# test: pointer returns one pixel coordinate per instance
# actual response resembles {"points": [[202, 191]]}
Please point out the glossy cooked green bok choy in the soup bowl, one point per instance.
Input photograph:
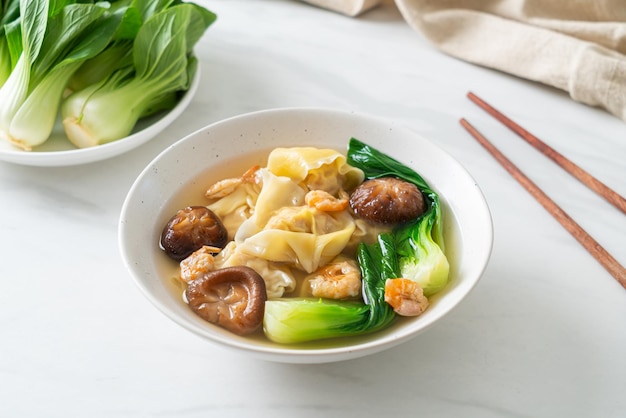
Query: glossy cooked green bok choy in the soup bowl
{"points": [[413, 250]]}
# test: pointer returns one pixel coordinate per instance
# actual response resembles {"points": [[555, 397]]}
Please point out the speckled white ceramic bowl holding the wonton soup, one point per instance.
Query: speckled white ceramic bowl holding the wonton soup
{"points": [[181, 173]]}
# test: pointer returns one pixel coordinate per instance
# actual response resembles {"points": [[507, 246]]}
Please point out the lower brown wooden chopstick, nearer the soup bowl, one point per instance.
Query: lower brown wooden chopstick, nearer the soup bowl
{"points": [[591, 245]]}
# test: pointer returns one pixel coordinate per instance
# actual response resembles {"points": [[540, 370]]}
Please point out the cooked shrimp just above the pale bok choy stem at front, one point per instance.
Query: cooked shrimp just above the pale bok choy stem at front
{"points": [[336, 280]]}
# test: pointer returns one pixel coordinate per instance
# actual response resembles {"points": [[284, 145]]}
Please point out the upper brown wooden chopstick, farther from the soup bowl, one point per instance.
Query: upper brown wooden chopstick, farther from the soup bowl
{"points": [[587, 179]]}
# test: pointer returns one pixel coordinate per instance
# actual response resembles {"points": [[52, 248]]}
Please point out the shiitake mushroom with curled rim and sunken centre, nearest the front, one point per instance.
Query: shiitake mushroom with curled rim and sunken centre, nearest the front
{"points": [[231, 297]]}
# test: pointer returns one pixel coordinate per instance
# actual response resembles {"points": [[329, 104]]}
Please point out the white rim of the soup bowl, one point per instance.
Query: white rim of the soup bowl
{"points": [[289, 354]]}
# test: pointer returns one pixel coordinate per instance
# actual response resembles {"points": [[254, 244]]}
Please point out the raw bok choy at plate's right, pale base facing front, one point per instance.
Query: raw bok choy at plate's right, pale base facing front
{"points": [[162, 66]]}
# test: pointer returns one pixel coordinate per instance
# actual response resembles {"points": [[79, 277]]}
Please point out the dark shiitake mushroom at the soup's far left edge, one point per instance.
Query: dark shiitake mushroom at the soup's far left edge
{"points": [[190, 229]]}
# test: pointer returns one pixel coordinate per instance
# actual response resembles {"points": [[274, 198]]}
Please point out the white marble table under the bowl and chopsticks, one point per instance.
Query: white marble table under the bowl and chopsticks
{"points": [[542, 335]]}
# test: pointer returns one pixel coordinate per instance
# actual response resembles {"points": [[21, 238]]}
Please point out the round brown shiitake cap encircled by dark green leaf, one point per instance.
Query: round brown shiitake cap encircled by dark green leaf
{"points": [[387, 200]]}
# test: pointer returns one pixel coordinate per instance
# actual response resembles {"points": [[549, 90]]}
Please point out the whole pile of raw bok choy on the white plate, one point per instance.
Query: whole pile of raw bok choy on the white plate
{"points": [[49, 49]]}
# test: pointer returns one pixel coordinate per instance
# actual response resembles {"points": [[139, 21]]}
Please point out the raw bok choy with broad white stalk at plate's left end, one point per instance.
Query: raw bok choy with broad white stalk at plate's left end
{"points": [[54, 44]]}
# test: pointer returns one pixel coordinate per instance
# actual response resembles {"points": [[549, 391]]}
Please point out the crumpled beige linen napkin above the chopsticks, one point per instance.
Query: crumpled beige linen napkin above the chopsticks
{"points": [[574, 45]]}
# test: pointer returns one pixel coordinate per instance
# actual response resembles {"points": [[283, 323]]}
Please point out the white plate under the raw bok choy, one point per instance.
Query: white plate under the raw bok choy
{"points": [[59, 151]]}
